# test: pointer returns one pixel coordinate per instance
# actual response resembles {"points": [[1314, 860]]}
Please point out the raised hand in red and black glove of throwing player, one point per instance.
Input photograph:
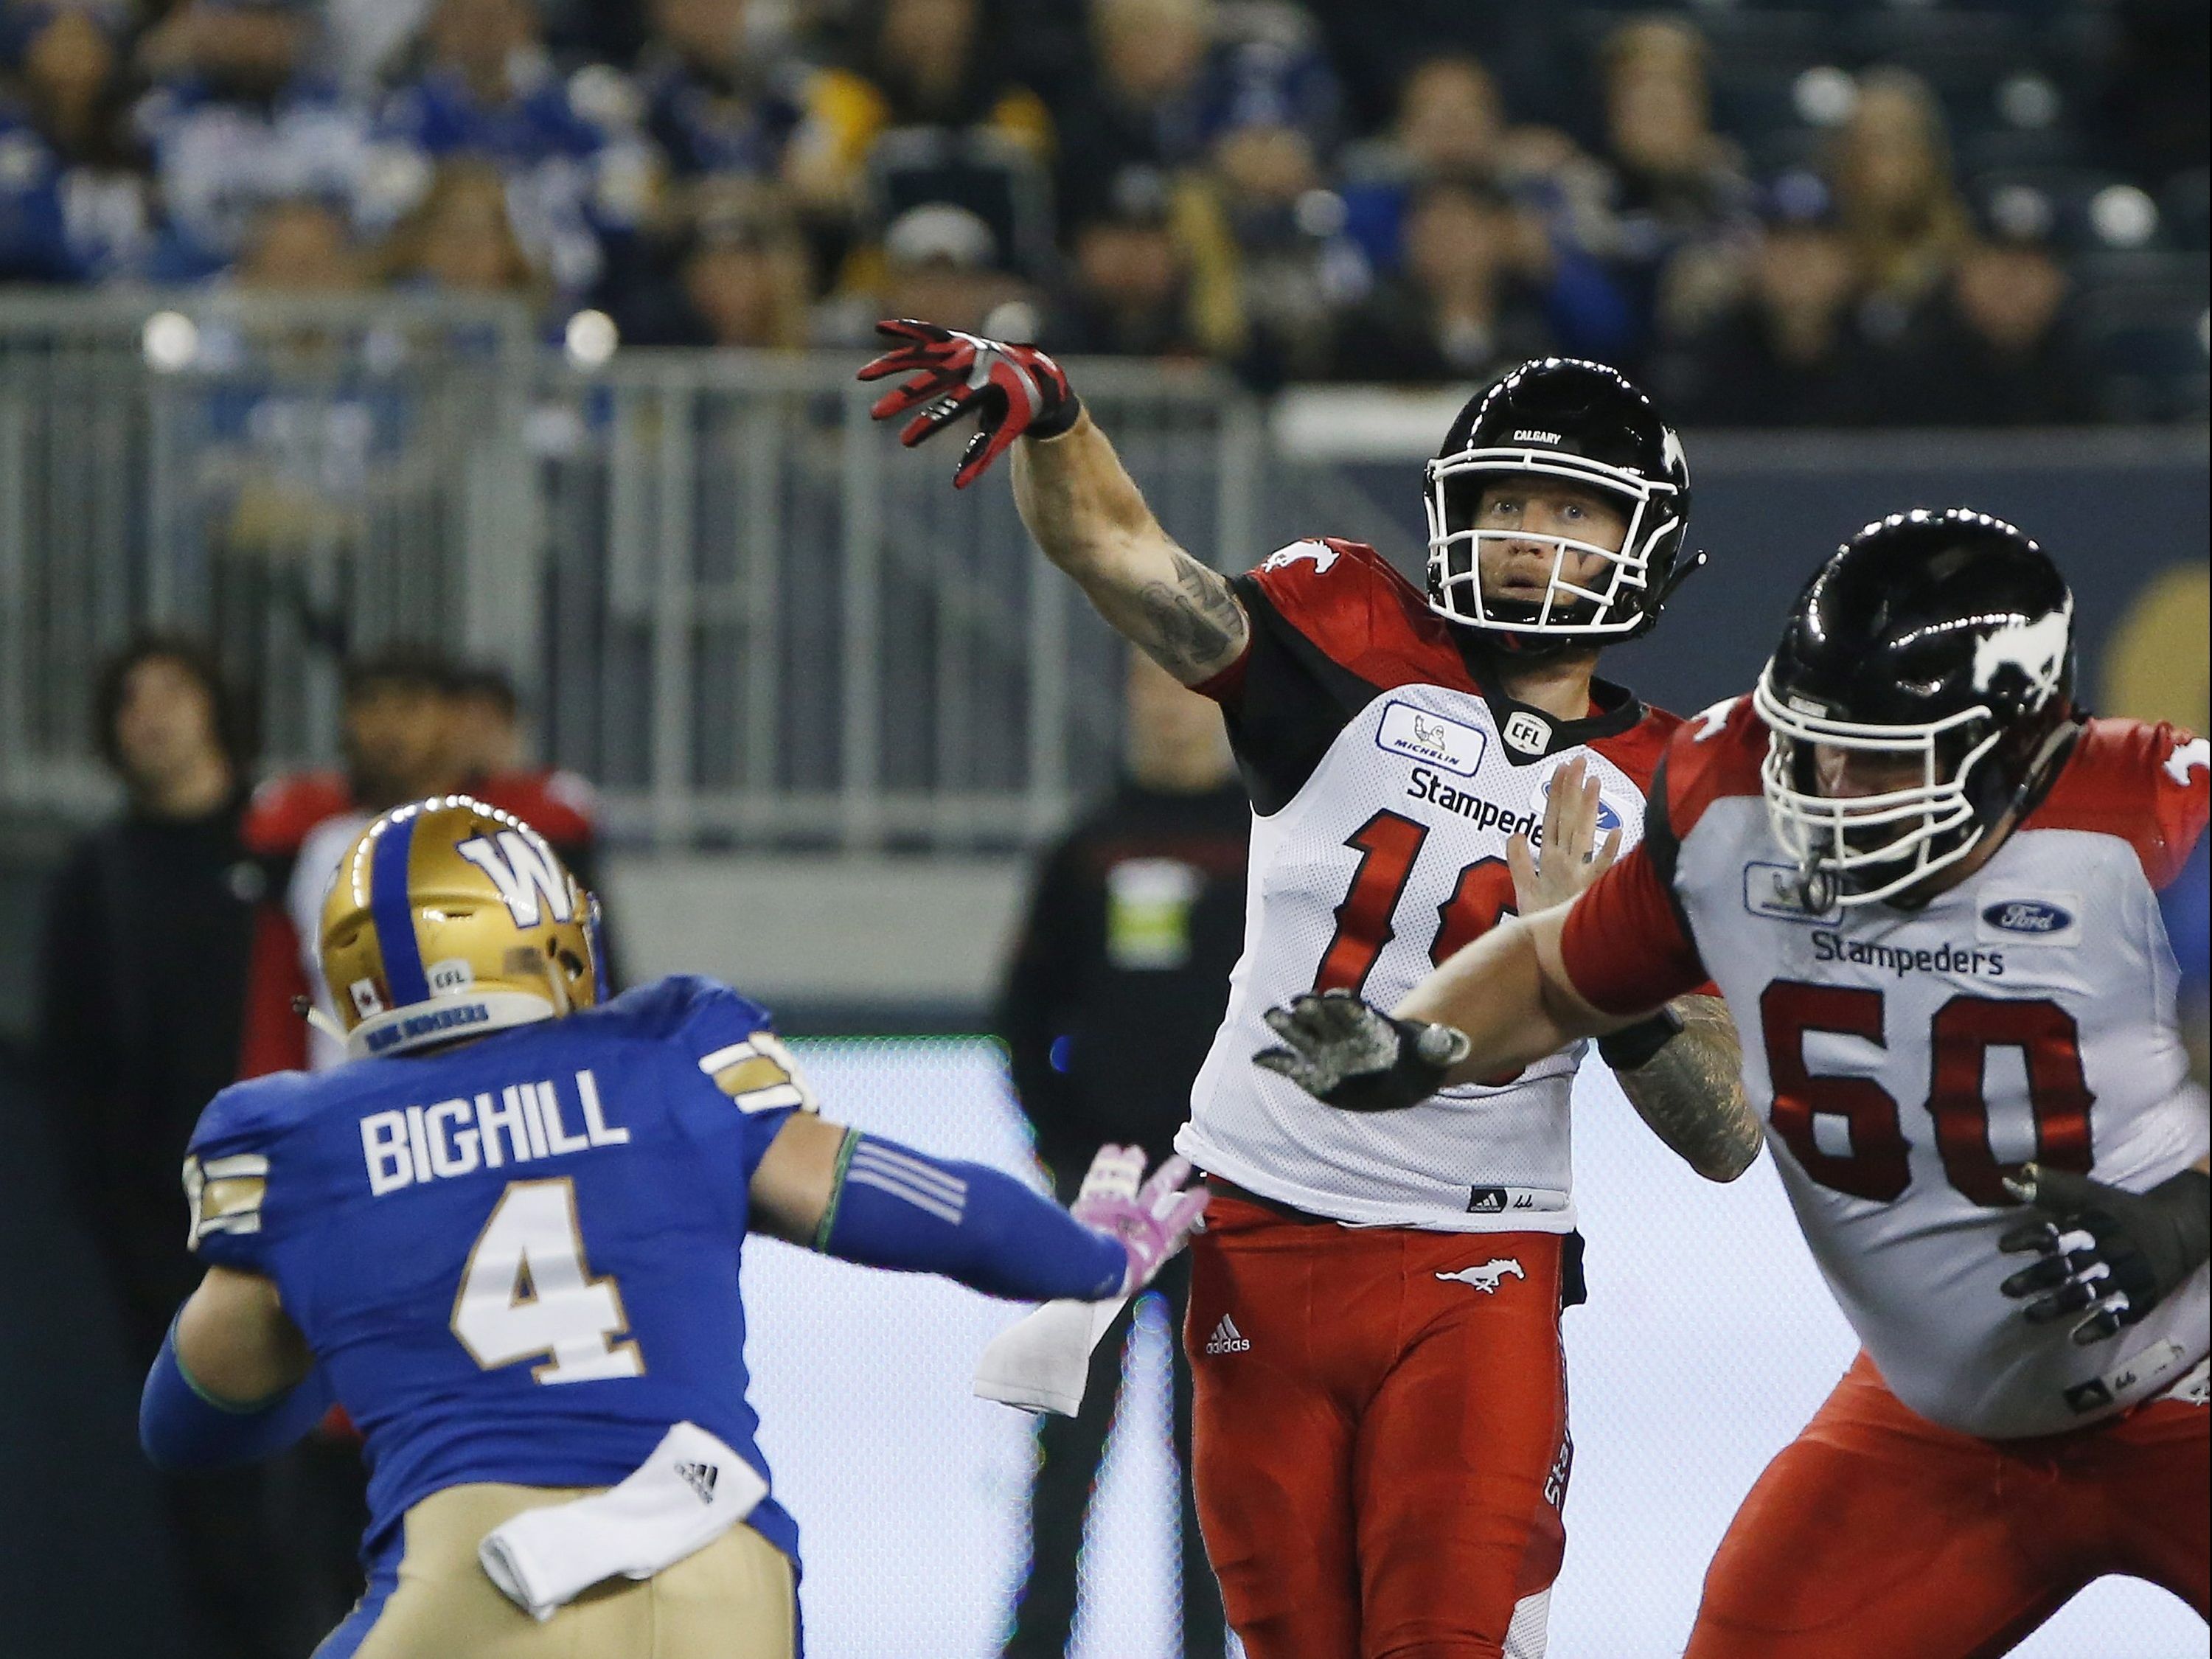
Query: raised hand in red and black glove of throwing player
{"points": [[1014, 390]]}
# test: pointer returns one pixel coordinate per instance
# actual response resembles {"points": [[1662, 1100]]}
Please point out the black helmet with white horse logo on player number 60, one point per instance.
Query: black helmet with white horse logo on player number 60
{"points": [[1941, 638]]}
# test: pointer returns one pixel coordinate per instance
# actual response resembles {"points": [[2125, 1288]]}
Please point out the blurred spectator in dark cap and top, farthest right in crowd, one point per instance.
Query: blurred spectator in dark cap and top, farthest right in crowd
{"points": [[1994, 348]]}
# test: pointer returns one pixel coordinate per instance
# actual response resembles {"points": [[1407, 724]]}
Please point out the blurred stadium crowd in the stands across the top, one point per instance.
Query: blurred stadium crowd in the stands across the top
{"points": [[1828, 216]]}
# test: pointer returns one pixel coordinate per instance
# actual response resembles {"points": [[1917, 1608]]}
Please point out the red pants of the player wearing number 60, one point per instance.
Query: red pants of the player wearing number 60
{"points": [[1881, 1534]]}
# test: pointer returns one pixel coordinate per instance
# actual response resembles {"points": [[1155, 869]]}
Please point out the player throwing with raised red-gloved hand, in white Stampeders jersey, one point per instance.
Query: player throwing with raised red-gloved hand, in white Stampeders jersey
{"points": [[1375, 1319]]}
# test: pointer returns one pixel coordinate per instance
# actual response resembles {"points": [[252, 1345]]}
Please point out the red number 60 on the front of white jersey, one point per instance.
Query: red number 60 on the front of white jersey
{"points": [[1861, 1147]]}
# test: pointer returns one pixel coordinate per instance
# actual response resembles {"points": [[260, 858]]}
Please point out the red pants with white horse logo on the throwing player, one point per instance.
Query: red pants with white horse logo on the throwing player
{"points": [[1379, 1432]]}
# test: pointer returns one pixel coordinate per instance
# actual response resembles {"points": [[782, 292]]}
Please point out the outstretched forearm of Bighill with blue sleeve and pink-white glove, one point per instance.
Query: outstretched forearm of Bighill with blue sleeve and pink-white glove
{"points": [[881, 1204]]}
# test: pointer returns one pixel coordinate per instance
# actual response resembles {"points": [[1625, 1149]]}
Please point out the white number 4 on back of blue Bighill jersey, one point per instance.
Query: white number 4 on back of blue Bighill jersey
{"points": [[528, 1293]]}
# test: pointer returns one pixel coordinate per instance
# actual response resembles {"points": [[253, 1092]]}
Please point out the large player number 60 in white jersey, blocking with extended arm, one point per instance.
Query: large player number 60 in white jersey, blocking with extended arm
{"points": [[1932, 888]]}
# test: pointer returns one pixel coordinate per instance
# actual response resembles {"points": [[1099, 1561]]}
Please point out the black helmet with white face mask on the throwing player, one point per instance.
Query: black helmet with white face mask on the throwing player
{"points": [[1585, 424]]}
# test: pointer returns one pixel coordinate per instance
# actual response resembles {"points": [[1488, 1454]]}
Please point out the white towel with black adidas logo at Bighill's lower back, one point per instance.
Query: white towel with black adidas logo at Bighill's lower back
{"points": [[680, 1501]]}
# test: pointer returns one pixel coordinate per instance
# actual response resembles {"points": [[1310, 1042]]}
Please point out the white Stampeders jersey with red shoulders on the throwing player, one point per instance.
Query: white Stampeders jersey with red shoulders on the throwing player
{"points": [[1388, 784]]}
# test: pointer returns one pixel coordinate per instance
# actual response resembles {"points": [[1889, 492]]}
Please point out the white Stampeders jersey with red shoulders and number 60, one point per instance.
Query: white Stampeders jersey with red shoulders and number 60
{"points": [[1906, 1058]]}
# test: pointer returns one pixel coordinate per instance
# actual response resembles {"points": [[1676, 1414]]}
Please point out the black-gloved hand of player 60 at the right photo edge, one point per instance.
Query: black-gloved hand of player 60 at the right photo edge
{"points": [[2105, 1253]]}
